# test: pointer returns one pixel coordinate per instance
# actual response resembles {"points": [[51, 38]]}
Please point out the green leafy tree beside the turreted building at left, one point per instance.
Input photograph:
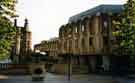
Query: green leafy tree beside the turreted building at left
{"points": [[7, 30]]}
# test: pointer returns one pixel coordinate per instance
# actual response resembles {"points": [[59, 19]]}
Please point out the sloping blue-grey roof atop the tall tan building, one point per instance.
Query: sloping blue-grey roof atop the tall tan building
{"points": [[95, 10]]}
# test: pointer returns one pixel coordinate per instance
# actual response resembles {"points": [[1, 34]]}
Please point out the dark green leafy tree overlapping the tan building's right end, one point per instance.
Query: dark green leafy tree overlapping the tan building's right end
{"points": [[125, 33]]}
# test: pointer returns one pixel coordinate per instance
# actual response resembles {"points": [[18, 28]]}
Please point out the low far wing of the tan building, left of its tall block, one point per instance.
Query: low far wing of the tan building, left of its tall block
{"points": [[48, 46]]}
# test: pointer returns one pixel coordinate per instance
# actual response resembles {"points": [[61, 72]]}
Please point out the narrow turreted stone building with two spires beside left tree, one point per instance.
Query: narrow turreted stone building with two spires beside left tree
{"points": [[21, 51]]}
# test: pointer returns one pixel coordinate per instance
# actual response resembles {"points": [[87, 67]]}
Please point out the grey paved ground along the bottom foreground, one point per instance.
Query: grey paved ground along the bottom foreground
{"points": [[52, 78]]}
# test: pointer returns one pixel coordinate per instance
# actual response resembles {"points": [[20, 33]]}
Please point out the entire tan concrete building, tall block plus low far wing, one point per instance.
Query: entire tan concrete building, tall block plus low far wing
{"points": [[87, 40]]}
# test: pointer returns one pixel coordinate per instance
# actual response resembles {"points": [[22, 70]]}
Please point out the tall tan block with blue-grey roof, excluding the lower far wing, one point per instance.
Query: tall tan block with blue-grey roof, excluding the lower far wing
{"points": [[88, 36]]}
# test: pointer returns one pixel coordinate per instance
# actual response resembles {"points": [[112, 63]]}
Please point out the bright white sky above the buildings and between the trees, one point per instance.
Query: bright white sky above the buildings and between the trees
{"points": [[46, 16]]}
